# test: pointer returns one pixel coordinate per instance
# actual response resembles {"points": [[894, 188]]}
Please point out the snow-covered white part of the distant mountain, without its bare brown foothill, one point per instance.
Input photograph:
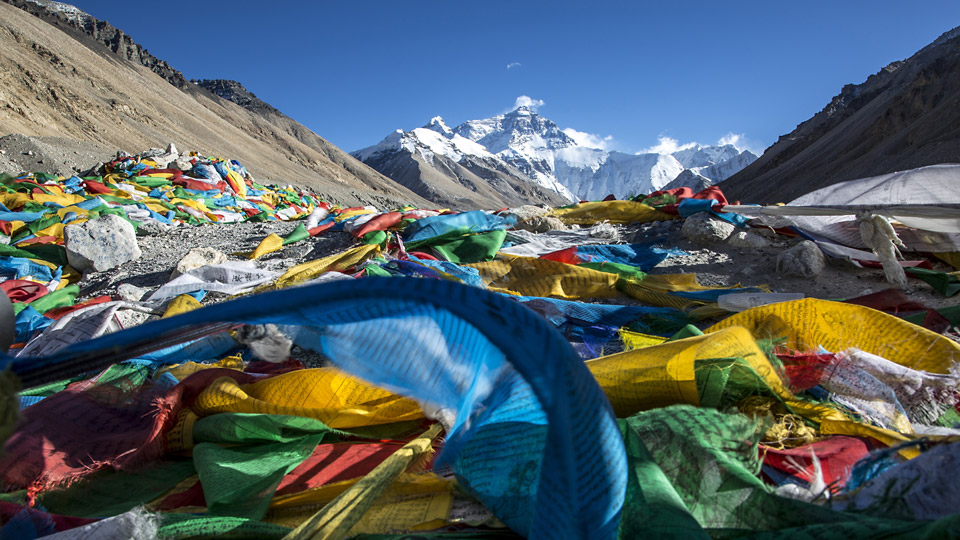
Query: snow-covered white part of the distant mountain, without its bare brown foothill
{"points": [[544, 155]]}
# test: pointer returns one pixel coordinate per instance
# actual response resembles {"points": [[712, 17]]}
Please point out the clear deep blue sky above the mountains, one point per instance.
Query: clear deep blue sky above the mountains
{"points": [[627, 72]]}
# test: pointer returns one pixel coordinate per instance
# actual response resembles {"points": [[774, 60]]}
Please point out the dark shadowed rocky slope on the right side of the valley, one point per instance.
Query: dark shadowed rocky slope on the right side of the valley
{"points": [[907, 115]]}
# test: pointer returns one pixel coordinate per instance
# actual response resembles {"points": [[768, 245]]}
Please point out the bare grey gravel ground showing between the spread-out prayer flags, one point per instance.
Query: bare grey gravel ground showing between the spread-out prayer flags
{"points": [[718, 264]]}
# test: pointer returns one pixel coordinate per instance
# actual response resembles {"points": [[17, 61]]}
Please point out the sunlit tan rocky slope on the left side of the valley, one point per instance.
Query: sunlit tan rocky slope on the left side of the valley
{"points": [[68, 75]]}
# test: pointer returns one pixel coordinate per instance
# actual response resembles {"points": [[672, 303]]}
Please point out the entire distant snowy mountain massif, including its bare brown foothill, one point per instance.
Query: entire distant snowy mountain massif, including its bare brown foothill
{"points": [[522, 154]]}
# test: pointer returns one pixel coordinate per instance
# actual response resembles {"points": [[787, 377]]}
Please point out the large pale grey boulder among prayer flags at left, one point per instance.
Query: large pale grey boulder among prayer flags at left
{"points": [[101, 244]]}
